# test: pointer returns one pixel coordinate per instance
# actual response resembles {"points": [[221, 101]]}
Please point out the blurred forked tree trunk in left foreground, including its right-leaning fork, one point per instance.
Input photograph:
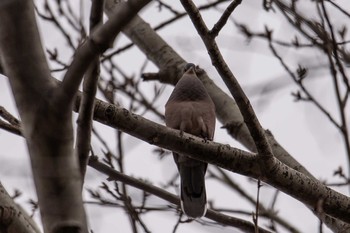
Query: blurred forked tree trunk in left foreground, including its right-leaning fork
{"points": [[46, 109]]}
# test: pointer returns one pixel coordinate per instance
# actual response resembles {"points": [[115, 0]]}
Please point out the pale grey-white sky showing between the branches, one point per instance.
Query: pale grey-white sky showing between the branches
{"points": [[298, 126]]}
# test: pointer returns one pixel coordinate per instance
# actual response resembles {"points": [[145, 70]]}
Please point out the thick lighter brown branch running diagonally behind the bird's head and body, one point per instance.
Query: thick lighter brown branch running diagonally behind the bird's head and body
{"points": [[171, 68]]}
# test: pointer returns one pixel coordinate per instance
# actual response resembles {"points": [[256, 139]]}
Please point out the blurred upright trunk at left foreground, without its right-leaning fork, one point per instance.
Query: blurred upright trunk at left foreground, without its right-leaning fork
{"points": [[48, 131]]}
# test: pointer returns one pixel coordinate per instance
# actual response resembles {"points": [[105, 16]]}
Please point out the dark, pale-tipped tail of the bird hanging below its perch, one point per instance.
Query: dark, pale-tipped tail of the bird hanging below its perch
{"points": [[193, 195]]}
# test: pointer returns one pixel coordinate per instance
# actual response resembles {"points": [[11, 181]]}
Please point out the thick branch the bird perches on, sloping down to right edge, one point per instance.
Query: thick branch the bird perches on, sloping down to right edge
{"points": [[282, 177]]}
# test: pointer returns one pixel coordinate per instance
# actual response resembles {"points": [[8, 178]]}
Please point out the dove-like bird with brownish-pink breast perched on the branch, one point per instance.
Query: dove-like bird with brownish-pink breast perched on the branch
{"points": [[190, 109]]}
